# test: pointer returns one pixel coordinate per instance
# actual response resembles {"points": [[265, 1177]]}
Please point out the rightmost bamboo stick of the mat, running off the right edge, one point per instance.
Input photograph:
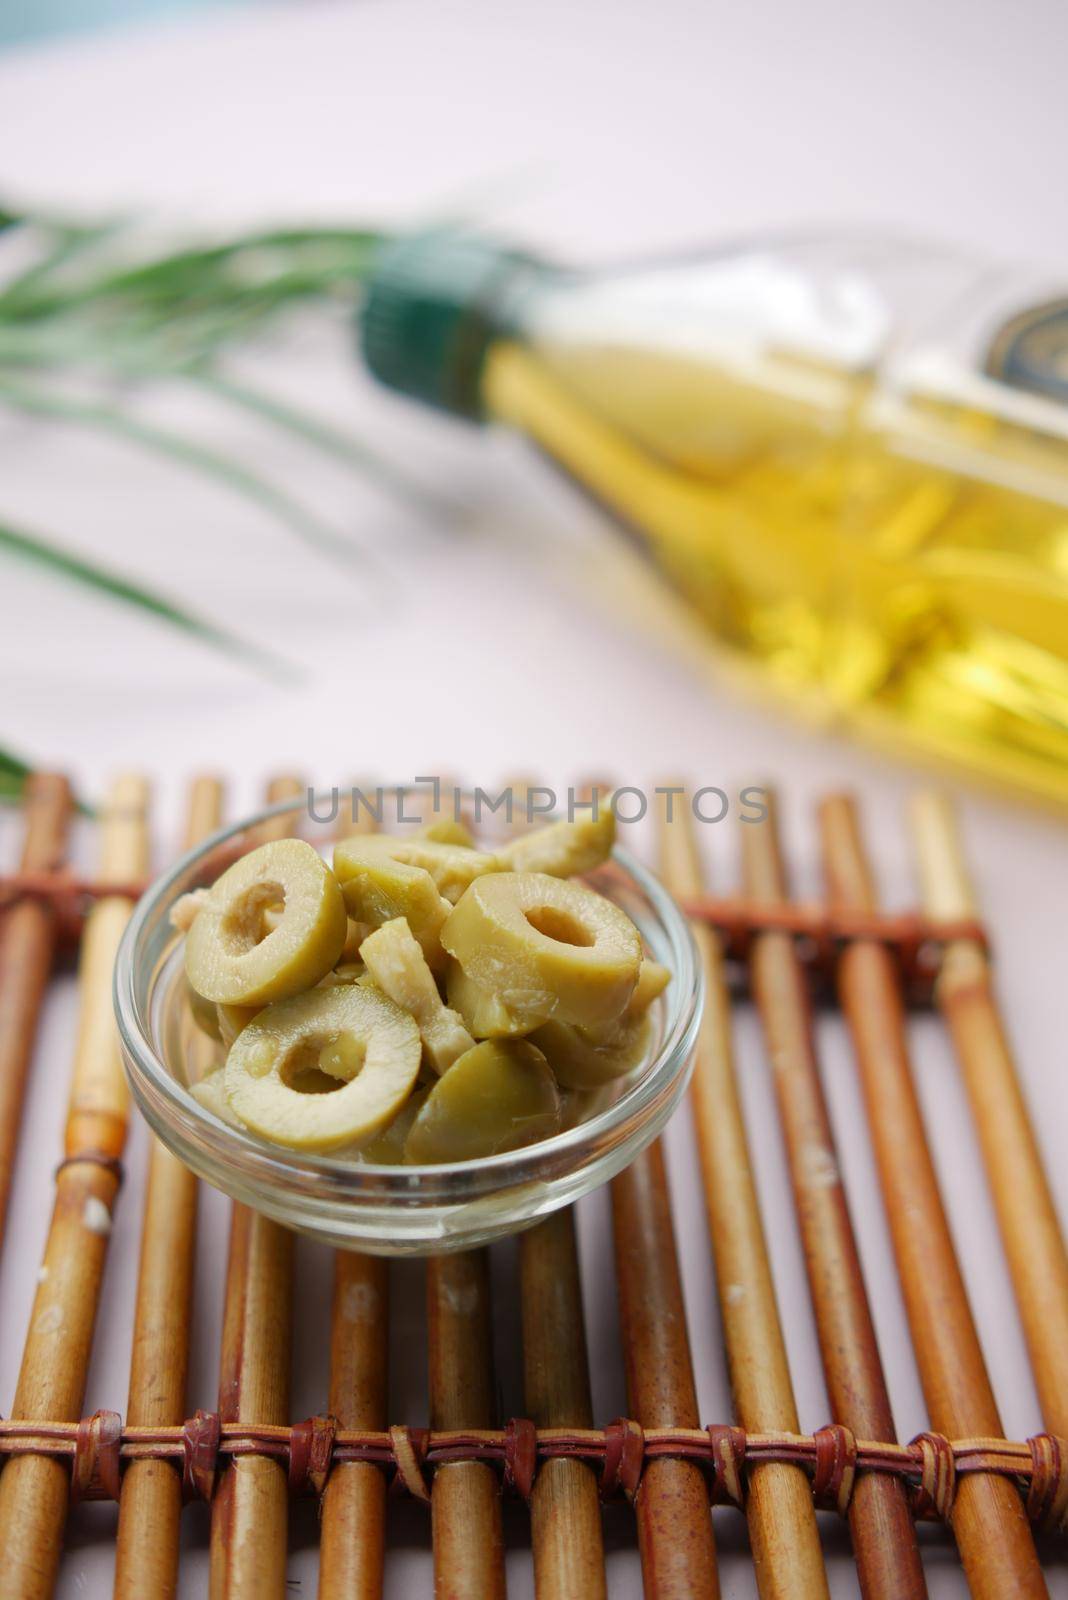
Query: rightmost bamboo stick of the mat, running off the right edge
{"points": [[1027, 1217]]}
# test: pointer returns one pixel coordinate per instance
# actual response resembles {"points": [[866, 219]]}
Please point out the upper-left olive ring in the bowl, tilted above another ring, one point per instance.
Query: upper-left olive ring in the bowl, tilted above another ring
{"points": [[237, 958]]}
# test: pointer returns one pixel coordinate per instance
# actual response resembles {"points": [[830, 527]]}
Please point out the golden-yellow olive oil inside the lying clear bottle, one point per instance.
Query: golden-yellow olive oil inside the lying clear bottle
{"points": [[901, 562]]}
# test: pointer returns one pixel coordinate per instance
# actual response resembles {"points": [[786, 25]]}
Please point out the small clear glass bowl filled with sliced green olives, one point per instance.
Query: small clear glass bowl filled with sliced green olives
{"points": [[413, 1041]]}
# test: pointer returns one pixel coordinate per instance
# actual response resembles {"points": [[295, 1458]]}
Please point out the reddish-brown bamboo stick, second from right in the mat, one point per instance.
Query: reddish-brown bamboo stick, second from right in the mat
{"points": [[989, 1519]]}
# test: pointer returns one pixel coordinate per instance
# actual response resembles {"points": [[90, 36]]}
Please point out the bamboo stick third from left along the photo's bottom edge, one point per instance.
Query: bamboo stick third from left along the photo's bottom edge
{"points": [[252, 1505]]}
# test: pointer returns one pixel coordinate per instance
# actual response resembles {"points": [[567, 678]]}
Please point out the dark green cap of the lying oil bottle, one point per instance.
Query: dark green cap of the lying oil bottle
{"points": [[436, 303]]}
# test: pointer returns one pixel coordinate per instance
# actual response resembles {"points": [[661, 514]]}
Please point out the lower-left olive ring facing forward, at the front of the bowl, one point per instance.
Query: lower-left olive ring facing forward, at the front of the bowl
{"points": [[325, 1070]]}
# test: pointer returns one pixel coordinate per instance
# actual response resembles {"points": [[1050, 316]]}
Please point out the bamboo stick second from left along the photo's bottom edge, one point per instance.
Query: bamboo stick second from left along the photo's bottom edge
{"points": [[151, 1505]]}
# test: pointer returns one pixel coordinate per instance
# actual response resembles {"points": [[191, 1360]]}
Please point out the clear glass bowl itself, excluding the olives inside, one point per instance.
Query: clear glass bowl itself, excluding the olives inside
{"points": [[391, 1210]]}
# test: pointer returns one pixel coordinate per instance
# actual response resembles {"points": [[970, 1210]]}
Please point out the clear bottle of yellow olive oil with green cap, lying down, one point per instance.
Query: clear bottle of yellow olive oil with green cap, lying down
{"points": [[851, 455]]}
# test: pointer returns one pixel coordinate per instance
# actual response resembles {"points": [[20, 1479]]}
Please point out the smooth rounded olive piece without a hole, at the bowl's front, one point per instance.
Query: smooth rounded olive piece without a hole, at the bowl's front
{"points": [[498, 1097]]}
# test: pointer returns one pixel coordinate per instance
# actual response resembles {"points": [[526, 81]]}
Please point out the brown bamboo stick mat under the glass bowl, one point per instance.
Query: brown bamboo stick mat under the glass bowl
{"points": [[269, 1433]]}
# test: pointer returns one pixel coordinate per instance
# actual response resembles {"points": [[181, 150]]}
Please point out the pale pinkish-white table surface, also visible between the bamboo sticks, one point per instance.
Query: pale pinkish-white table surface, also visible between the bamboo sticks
{"points": [[592, 132]]}
